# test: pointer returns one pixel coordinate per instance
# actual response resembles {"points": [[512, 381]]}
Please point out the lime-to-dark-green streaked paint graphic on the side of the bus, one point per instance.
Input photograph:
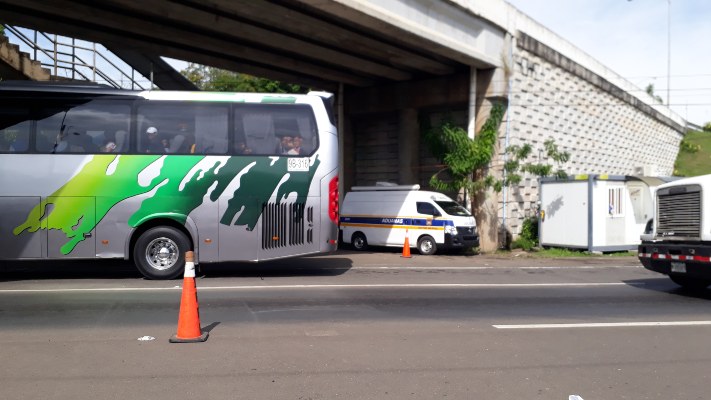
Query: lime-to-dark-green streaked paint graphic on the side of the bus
{"points": [[175, 186]]}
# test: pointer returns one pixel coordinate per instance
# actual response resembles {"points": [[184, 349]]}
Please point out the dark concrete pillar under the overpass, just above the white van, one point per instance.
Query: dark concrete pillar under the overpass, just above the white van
{"points": [[409, 147]]}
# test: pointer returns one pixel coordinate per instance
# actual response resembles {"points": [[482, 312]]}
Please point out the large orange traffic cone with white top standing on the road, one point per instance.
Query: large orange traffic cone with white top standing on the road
{"points": [[189, 318]]}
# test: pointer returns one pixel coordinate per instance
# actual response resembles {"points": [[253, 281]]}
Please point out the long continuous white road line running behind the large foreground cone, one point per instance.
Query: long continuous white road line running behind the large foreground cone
{"points": [[334, 286]]}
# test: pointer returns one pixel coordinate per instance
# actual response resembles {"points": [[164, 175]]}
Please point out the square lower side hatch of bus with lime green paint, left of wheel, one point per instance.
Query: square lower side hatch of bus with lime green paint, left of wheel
{"points": [[72, 235]]}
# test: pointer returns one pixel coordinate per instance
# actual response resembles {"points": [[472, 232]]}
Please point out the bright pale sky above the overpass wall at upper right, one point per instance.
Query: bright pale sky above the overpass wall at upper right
{"points": [[631, 38]]}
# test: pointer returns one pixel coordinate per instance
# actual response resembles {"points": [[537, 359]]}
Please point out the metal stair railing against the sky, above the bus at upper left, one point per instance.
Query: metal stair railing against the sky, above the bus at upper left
{"points": [[74, 59]]}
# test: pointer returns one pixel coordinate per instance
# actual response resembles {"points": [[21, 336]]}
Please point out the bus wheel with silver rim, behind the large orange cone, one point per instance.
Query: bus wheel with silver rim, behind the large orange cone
{"points": [[159, 252]]}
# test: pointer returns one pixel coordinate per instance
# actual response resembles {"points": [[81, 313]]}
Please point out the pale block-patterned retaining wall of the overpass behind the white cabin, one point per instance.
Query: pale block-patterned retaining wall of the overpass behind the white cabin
{"points": [[605, 130]]}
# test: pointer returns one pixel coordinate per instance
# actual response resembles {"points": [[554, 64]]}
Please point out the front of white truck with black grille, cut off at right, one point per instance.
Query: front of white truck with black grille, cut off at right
{"points": [[678, 241]]}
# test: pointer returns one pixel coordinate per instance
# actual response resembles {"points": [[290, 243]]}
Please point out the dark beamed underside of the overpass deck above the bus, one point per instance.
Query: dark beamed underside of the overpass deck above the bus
{"points": [[291, 41]]}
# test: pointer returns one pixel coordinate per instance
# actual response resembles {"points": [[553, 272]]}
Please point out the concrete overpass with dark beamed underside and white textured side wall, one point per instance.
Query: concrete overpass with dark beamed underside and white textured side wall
{"points": [[396, 63]]}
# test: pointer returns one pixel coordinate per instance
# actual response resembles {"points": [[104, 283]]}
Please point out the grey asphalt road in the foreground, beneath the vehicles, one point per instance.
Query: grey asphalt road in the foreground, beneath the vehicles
{"points": [[364, 326]]}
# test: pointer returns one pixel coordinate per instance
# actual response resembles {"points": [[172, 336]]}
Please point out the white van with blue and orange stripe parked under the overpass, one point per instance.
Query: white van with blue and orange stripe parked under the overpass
{"points": [[382, 215]]}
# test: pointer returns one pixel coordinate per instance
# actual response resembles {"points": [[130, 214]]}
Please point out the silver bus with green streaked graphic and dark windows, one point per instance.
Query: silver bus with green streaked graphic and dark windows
{"points": [[93, 172]]}
